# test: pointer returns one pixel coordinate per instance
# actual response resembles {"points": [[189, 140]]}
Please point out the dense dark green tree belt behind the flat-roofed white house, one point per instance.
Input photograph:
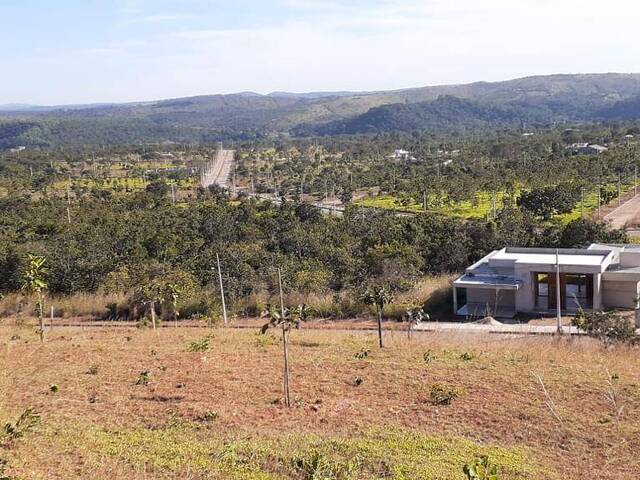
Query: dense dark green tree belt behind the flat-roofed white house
{"points": [[123, 241]]}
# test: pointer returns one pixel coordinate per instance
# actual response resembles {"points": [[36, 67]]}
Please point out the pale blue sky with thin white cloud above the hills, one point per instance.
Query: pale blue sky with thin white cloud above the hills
{"points": [[82, 51]]}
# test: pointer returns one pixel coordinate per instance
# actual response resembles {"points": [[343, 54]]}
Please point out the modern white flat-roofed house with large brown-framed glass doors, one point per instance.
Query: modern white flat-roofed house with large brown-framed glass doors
{"points": [[514, 280]]}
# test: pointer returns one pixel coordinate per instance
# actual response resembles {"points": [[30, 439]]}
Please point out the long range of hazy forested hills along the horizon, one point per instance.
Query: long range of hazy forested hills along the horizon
{"points": [[531, 101]]}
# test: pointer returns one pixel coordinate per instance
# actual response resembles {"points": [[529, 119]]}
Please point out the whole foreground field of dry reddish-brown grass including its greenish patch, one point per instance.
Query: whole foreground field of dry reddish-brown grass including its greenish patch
{"points": [[360, 412]]}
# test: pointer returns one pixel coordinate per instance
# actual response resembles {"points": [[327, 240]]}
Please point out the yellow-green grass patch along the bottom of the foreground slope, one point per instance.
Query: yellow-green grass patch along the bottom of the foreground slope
{"points": [[398, 454]]}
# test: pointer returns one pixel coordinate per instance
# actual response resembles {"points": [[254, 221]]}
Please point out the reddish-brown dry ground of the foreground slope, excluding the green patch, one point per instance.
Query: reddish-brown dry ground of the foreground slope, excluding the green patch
{"points": [[587, 427]]}
